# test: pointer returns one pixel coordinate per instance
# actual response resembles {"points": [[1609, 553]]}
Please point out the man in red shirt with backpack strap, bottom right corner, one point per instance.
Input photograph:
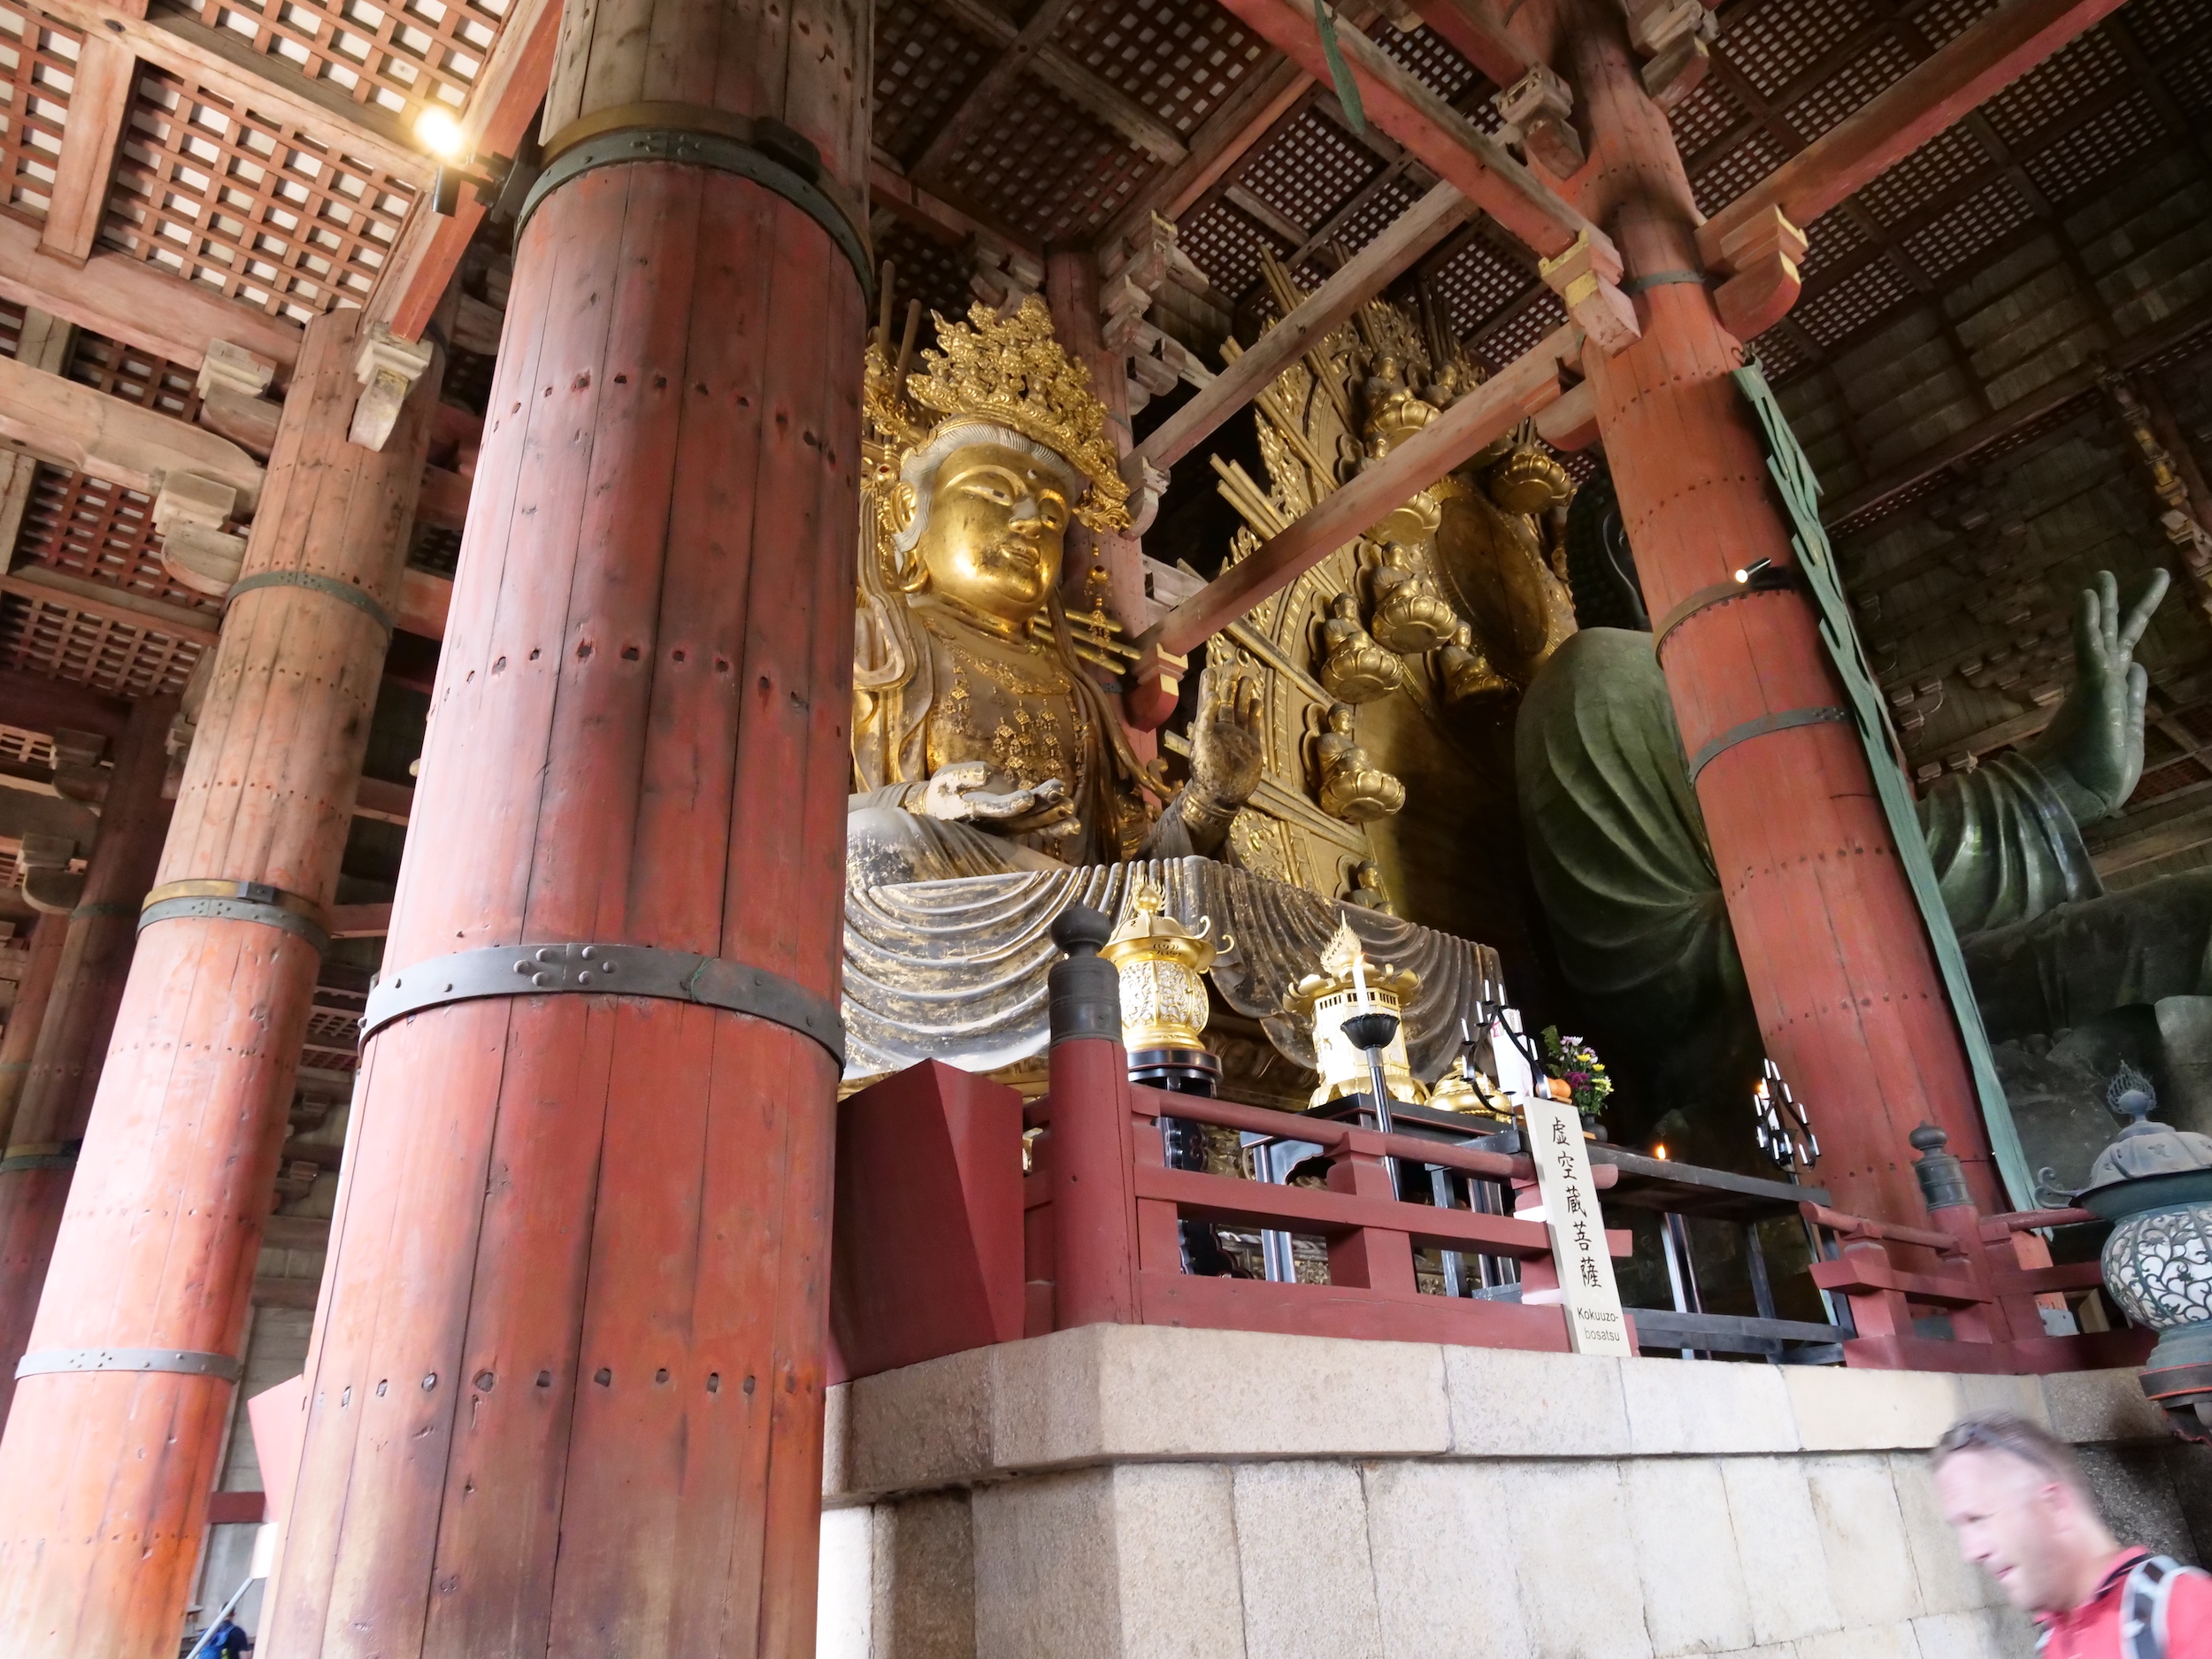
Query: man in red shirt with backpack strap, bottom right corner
{"points": [[2023, 1514]]}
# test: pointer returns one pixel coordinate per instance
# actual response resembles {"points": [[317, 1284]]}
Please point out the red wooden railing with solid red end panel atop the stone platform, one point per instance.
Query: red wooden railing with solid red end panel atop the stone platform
{"points": [[943, 1246]]}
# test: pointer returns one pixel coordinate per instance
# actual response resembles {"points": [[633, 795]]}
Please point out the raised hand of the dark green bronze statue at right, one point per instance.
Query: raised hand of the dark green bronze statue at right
{"points": [[2094, 751]]}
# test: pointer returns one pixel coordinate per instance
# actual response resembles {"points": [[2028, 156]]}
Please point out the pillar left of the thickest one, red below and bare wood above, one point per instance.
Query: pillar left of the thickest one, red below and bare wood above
{"points": [[116, 1434]]}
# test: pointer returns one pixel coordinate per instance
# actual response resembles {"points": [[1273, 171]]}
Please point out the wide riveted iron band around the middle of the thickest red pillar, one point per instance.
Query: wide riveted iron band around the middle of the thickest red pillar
{"points": [[605, 970]]}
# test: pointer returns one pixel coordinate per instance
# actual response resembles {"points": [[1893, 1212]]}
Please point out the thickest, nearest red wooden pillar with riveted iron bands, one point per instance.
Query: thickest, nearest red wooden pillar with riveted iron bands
{"points": [[567, 1381]]}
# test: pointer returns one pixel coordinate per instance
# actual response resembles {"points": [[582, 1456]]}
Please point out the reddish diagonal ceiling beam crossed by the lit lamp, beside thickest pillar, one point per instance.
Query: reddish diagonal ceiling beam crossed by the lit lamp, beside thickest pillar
{"points": [[501, 114]]}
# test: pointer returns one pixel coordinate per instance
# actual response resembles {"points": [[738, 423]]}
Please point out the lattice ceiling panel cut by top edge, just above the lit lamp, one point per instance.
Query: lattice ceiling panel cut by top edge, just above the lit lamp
{"points": [[397, 56]]}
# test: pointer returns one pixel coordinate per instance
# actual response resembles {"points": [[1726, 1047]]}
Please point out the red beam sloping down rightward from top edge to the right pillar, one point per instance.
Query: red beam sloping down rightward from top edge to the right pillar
{"points": [[1446, 140]]}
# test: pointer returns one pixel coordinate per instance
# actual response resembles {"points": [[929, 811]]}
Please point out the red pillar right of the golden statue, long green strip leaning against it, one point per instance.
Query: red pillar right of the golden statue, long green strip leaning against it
{"points": [[1835, 950]]}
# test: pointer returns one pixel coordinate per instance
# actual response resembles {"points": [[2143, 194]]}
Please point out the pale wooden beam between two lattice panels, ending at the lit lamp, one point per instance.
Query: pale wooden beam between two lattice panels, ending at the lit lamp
{"points": [[229, 65]]}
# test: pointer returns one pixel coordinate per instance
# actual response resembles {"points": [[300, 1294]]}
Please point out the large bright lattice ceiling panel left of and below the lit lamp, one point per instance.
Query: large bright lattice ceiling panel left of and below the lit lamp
{"points": [[247, 205]]}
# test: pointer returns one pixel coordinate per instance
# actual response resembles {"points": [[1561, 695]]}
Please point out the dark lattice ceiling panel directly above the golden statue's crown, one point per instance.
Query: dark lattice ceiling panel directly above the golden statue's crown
{"points": [[1047, 167]]}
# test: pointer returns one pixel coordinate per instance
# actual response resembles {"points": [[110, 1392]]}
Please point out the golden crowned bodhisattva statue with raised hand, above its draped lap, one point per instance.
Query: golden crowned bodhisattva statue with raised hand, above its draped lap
{"points": [[981, 742]]}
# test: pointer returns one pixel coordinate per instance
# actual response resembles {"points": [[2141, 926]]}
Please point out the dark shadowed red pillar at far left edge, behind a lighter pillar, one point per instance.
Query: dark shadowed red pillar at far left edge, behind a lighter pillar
{"points": [[74, 1034]]}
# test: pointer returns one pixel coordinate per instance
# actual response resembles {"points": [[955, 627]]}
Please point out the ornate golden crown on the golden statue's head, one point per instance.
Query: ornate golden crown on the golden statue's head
{"points": [[1012, 373]]}
